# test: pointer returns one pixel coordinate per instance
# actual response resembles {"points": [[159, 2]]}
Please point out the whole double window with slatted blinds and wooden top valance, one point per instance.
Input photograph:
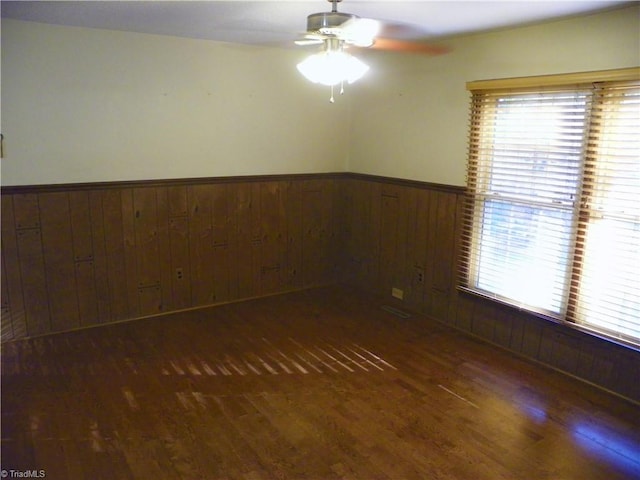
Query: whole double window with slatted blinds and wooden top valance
{"points": [[552, 222]]}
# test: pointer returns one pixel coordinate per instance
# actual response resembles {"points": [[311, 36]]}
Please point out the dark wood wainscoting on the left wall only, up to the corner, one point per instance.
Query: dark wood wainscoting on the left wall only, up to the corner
{"points": [[80, 255]]}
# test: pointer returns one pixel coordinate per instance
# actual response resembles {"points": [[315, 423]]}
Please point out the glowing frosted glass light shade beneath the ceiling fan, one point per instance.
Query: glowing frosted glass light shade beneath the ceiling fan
{"points": [[332, 67]]}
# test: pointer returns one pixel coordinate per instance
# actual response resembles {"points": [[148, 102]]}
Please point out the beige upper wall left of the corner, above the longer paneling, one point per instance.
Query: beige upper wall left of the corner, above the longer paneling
{"points": [[86, 105]]}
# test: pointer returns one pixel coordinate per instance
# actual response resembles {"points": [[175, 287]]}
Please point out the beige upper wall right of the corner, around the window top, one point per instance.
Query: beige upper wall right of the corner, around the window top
{"points": [[410, 116]]}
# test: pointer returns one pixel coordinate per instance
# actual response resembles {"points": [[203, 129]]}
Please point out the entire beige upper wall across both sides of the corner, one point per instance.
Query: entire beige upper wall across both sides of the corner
{"points": [[82, 105]]}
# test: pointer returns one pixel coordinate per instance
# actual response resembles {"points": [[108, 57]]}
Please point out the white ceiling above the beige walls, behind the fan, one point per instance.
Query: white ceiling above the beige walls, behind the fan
{"points": [[280, 22]]}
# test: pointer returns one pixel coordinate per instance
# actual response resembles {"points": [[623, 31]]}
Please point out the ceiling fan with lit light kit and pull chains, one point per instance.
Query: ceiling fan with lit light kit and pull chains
{"points": [[338, 31]]}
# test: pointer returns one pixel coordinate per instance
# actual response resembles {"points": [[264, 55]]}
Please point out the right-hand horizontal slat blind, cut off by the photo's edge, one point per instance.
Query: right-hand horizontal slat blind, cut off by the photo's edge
{"points": [[607, 292]]}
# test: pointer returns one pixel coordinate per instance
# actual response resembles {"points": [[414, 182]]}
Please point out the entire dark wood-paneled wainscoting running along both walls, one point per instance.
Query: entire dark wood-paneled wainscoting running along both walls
{"points": [[82, 255]]}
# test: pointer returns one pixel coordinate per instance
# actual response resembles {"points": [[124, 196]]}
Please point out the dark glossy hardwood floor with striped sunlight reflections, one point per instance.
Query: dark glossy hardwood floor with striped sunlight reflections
{"points": [[319, 384]]}
